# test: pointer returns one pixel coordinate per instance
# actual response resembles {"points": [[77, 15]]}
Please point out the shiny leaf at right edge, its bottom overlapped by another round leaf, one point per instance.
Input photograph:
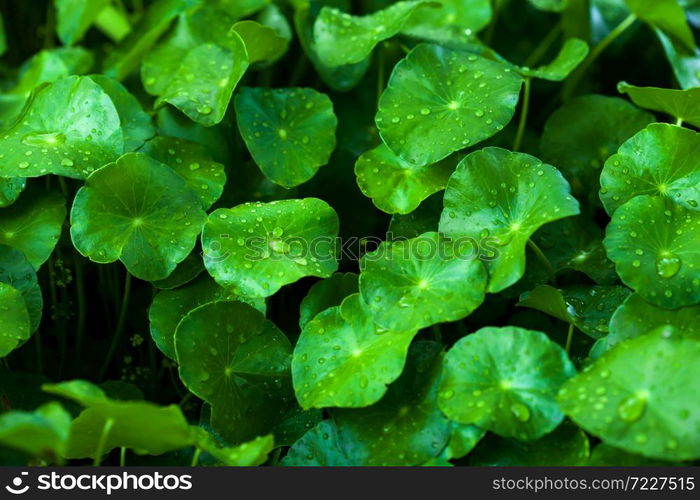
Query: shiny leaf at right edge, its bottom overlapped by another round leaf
{"points": [[659, 160]]}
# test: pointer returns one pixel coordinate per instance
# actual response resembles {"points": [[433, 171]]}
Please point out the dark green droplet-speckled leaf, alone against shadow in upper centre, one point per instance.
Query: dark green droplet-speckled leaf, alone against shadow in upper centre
{"points": [[290, 132]]}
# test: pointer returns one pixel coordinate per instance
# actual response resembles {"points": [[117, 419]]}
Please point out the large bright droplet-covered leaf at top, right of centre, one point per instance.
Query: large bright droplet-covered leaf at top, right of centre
{"points": [[439, 101]]}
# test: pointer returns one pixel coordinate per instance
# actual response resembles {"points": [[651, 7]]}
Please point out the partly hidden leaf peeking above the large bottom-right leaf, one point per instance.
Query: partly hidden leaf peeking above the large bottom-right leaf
{"points": [[635, 317]]}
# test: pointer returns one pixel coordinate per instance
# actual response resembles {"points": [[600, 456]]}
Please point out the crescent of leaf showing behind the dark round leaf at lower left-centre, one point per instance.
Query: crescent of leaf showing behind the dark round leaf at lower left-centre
{"points": [[170, 306]]}
